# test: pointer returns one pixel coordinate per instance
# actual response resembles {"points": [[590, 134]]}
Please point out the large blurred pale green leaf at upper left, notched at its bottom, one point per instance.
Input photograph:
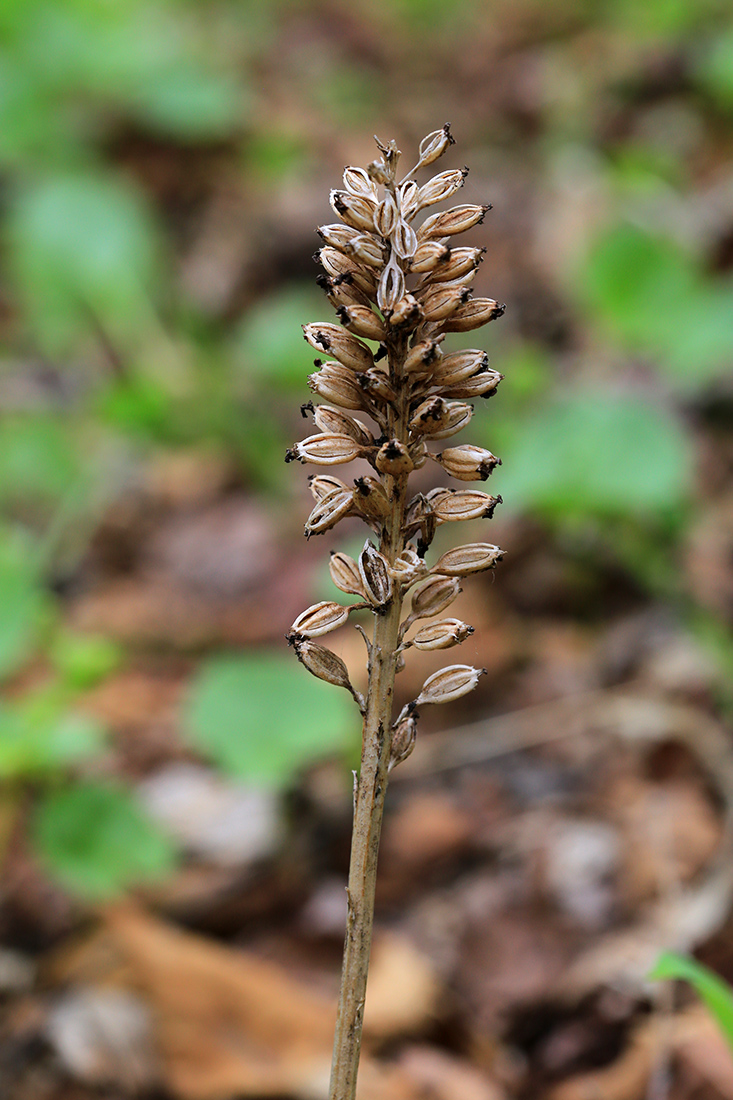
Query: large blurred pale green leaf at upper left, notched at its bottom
{"points": [[84, 255]]}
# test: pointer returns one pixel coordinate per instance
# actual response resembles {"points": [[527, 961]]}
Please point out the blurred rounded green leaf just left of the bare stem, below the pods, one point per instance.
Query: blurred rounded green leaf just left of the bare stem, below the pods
{"points": [[264, 718]]}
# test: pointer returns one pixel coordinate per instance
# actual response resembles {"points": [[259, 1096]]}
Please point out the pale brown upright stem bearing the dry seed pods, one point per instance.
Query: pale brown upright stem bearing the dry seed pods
{"points": [[371, 789]]}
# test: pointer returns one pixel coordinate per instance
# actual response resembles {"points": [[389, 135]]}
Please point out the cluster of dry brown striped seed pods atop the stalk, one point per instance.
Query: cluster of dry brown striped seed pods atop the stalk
{"points": [[399, 284]]}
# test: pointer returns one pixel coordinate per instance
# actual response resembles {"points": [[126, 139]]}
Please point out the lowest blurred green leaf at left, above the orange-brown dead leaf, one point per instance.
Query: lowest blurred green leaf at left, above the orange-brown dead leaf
{"points": [[97, 842]]}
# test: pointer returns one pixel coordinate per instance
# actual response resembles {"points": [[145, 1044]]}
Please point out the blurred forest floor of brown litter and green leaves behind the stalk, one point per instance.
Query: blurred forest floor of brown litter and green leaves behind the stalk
{"points": [[176, 790]]}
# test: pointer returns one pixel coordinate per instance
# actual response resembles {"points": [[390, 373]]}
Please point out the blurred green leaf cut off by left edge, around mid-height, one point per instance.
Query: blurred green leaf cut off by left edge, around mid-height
{"points": [[26, 606]]}
